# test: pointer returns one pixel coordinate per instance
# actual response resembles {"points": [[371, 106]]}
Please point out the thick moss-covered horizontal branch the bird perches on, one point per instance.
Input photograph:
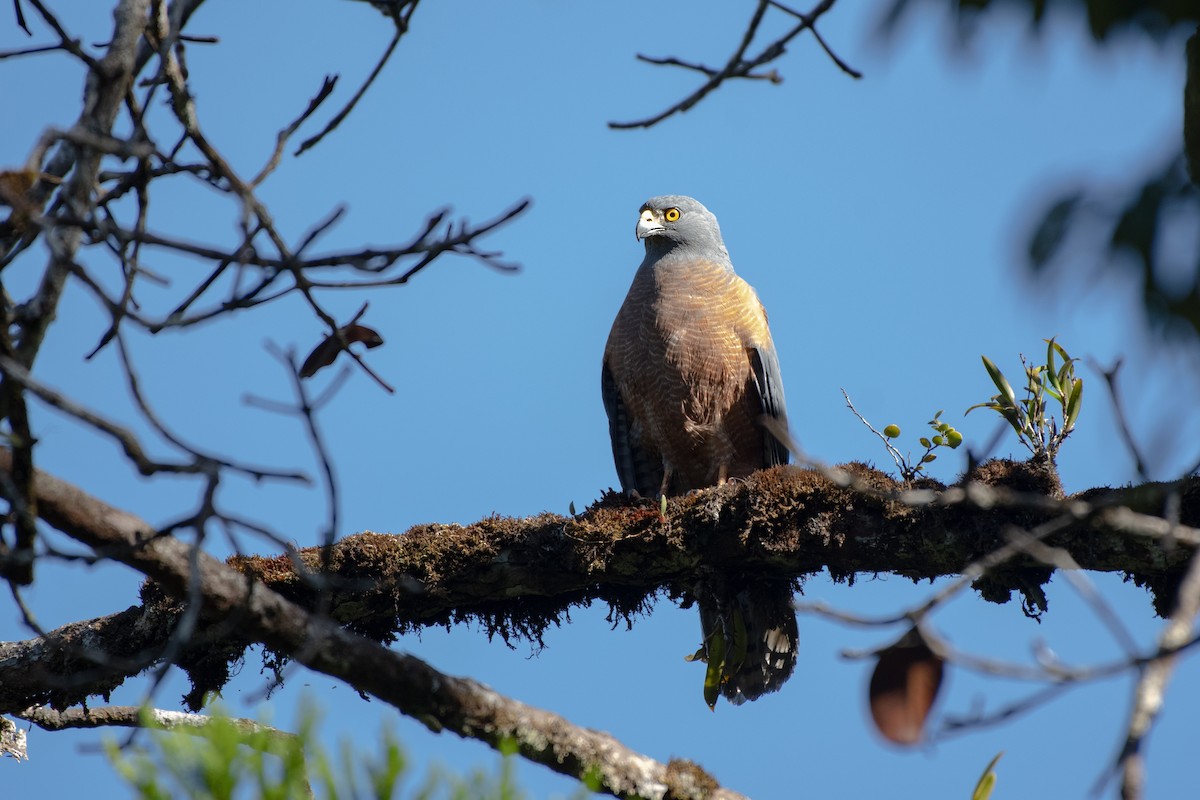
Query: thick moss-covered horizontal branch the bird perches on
{"points": [[519, 576]]}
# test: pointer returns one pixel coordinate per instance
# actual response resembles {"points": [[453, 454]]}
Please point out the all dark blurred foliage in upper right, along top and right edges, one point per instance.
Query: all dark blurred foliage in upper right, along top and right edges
{"points": [[1153, 225]]}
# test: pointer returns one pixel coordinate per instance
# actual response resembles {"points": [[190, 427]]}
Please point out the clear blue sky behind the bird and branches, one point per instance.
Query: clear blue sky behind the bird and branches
{"points": [[883, 222]]}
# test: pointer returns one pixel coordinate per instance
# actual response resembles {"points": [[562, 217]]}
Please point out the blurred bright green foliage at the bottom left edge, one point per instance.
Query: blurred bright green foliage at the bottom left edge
{"points": [[225, 760]]}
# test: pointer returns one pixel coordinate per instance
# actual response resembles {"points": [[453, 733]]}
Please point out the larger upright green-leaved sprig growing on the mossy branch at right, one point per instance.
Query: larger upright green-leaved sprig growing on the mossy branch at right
{"points": [[1036, 430]]}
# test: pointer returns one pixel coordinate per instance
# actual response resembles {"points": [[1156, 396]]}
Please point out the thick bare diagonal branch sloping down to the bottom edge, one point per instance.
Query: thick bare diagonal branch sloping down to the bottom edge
{"points": [[440, 701]]}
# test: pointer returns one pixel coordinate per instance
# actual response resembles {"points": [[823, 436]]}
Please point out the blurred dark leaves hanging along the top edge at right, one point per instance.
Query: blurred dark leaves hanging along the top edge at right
{"points": [[1155, 19]]}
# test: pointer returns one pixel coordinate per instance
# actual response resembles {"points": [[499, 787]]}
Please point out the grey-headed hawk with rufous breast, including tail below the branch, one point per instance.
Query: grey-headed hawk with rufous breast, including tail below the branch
{"points": [[689, 372]]}
